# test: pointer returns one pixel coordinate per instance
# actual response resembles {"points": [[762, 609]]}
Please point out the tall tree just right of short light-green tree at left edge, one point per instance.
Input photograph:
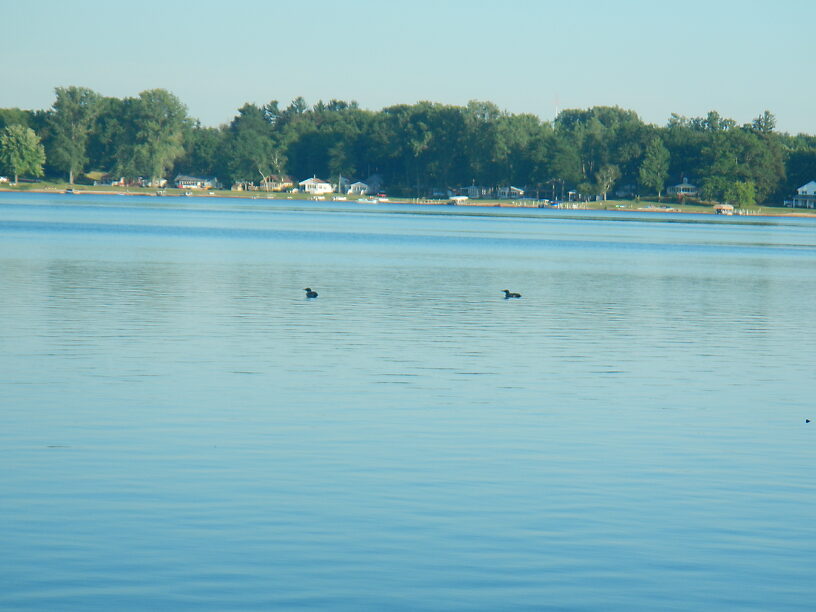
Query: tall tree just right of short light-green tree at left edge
{"points": [[71, 121]]}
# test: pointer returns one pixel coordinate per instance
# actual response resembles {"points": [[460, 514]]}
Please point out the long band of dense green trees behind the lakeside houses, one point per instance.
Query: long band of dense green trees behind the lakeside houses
{"points": [[418, 149]]}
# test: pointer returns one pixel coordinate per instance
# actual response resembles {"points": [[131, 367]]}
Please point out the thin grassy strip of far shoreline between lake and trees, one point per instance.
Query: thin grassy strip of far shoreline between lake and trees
{"points": [[599, 207]]}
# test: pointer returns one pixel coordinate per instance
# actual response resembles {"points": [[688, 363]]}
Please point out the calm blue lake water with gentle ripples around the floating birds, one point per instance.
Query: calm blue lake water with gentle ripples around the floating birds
{"points": [[180, 428]]}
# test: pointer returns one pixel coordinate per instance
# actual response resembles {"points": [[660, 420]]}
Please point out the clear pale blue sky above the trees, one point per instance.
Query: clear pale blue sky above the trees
{"points": [[739, 57]]}
